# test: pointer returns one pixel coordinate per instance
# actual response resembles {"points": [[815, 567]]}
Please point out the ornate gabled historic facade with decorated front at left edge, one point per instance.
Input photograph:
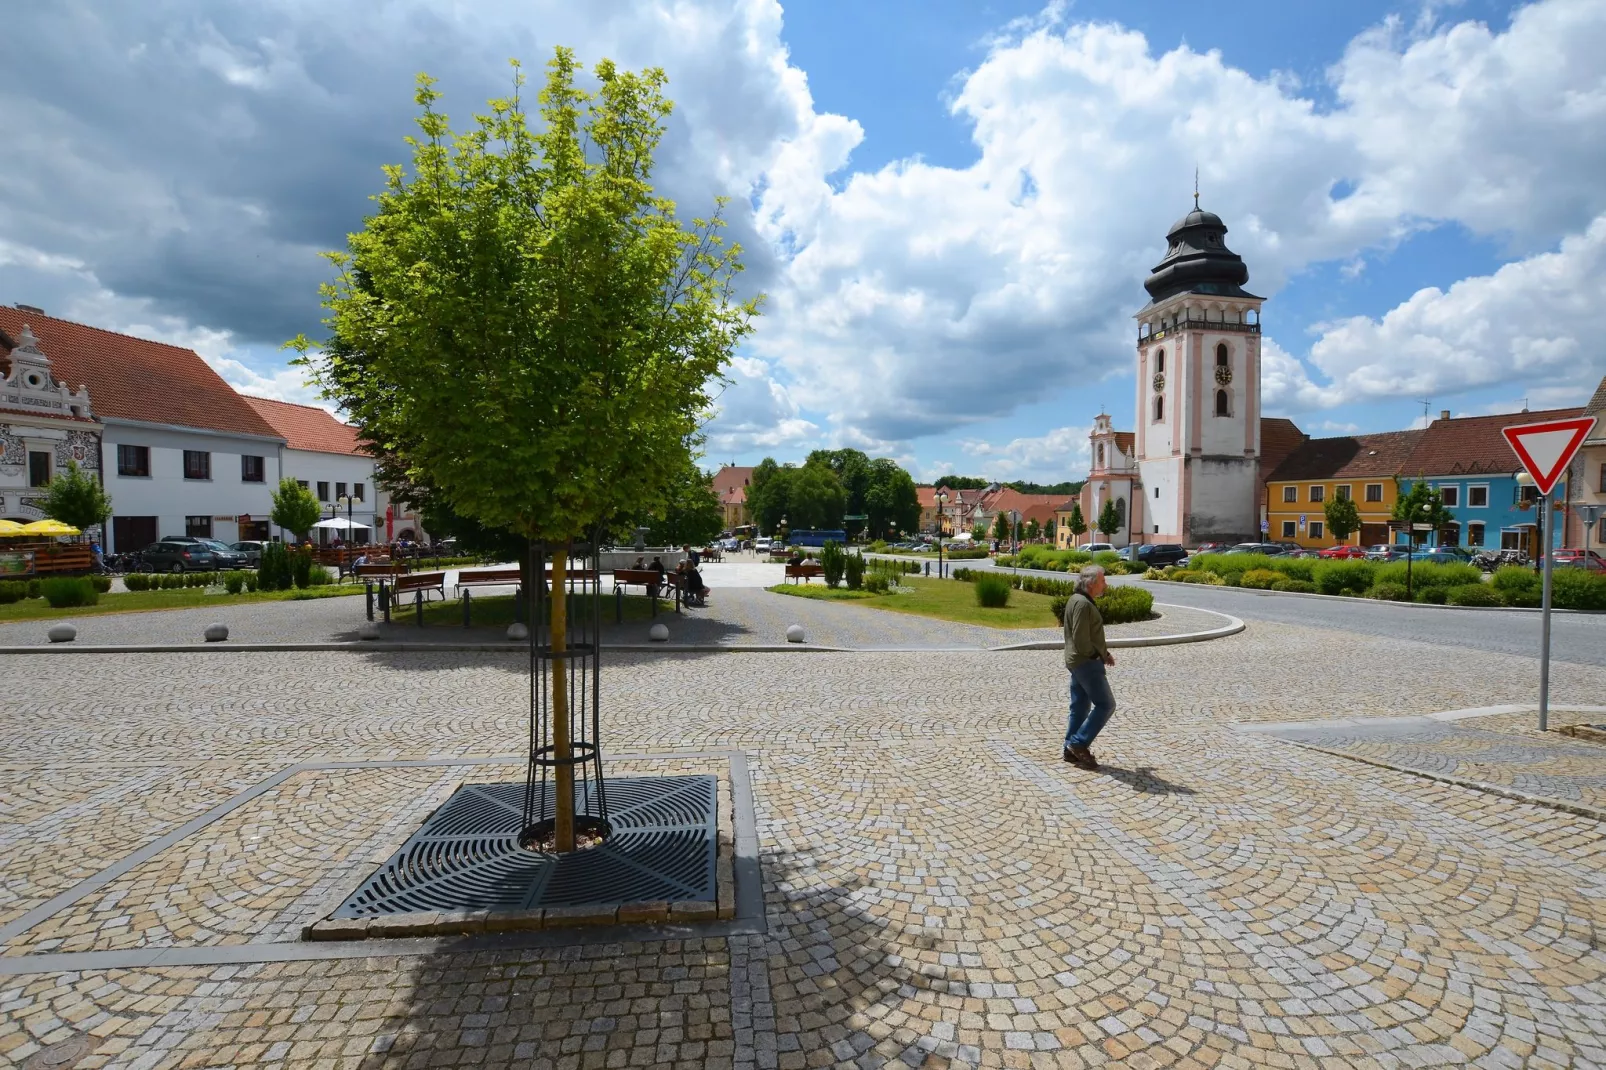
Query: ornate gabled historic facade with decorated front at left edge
{"points": [[44, 425]]}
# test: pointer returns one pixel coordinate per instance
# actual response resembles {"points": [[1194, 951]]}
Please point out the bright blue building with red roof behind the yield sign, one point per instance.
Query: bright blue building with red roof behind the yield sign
{"points": [[1474, 467]]}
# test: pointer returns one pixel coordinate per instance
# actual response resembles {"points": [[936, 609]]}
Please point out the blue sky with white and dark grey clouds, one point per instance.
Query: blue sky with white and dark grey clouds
{"points": [[948, 205]]}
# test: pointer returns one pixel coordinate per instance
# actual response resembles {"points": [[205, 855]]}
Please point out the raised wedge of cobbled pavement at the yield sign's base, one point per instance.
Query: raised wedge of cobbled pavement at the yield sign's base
{"points": [[1504, 749]]}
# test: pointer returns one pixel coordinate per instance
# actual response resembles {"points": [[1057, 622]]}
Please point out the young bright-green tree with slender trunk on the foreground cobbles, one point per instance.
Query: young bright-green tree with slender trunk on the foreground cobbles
{"points": [[528, 329]]}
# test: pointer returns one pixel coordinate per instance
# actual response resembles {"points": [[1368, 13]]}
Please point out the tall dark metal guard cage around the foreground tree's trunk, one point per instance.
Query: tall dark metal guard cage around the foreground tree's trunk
{"points": [[571, 677]]}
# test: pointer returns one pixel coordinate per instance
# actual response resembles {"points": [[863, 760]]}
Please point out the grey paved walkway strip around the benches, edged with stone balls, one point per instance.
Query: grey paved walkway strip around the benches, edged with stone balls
{"points": [[738, 616]]}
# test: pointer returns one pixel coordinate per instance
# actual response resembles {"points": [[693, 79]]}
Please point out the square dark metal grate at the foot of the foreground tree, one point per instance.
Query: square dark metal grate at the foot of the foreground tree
{"points": [[468, 856]]}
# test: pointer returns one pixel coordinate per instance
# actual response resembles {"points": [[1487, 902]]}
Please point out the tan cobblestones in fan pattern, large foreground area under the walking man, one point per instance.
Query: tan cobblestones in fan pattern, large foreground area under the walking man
{"points": [[939, 888]]}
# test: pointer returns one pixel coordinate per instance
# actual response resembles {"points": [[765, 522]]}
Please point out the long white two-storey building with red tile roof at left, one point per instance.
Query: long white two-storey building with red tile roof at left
{"points": [[181, 452]]}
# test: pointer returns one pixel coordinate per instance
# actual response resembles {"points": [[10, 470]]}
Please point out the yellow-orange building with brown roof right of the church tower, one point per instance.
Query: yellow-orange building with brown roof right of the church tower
{"points": [[1361, 468]]}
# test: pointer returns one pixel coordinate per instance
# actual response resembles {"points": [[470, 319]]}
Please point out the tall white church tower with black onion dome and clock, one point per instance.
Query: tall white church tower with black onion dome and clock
{"points": [[1199, 390]]}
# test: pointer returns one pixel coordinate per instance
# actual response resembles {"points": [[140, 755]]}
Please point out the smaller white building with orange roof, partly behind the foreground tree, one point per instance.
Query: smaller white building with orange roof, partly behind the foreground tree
{"points": [[324, 455]]}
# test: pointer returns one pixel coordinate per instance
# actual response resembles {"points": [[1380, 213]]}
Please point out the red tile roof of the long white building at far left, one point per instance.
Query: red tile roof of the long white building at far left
{"points": [[132, 378]]}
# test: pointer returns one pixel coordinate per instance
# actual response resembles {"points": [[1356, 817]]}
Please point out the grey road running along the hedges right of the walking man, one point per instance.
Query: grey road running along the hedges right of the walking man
{"points": [[1580, 639]]}
